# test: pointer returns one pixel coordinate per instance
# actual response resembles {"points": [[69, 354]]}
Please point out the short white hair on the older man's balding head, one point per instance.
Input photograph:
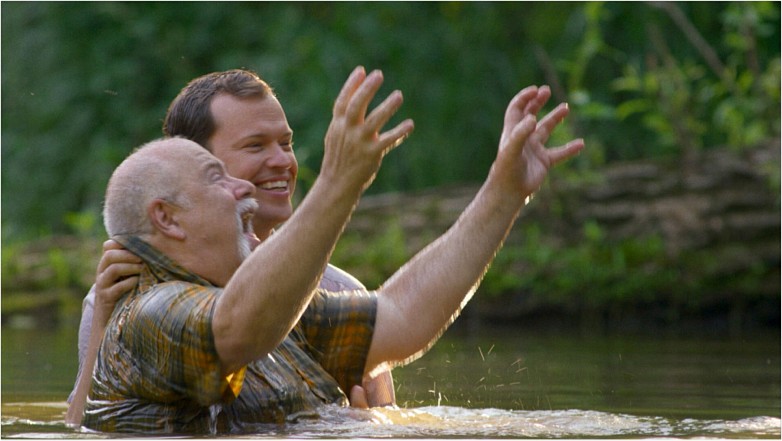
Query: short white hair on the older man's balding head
{"points": [[149, 173]]}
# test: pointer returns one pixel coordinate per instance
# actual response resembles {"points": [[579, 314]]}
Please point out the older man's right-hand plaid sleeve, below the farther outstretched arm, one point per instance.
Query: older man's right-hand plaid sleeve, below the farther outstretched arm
{"points": [[338, 327]]}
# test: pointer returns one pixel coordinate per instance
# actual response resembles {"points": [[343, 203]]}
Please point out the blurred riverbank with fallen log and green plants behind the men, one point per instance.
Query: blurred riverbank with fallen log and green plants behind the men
{"points": [[635, 245]]}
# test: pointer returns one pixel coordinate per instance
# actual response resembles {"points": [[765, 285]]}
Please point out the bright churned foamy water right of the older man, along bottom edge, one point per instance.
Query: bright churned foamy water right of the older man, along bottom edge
{"points": [[458, 422]]}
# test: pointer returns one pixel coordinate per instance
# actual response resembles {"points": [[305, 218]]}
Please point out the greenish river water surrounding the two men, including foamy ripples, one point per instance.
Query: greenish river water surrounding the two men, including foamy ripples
{"points": [[500, 383]]}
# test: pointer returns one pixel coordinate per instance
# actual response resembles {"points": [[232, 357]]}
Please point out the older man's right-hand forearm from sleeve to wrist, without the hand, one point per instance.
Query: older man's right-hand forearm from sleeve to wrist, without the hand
{"points": [[425, 295]]}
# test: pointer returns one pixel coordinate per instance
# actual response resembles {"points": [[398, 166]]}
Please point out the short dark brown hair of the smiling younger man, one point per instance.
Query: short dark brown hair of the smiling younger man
{"points": [[190, 116]]}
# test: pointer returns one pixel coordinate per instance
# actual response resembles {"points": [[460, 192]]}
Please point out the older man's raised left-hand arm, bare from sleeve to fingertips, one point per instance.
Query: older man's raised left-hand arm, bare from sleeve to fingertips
{"points": [[253, 316]]}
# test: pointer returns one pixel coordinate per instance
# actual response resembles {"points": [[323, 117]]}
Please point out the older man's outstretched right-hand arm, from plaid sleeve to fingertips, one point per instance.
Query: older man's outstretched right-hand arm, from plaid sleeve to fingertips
{"points": [[426, 294]]}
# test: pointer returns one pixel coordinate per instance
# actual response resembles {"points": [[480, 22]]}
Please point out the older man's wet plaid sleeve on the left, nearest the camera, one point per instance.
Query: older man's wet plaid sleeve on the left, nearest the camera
{"points": [[173, 344]]}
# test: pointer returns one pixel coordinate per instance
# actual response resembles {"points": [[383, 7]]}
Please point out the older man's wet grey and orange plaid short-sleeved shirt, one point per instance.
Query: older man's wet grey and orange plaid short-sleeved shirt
{"points": [[158, 370]]}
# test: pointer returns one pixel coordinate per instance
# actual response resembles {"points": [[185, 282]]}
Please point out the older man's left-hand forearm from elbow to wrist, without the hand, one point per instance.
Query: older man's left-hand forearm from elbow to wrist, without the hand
{"points": [[267, 295]]}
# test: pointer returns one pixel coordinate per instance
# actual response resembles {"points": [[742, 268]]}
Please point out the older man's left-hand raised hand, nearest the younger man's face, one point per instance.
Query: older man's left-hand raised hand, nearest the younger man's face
{"points": [[354, 144]]}
